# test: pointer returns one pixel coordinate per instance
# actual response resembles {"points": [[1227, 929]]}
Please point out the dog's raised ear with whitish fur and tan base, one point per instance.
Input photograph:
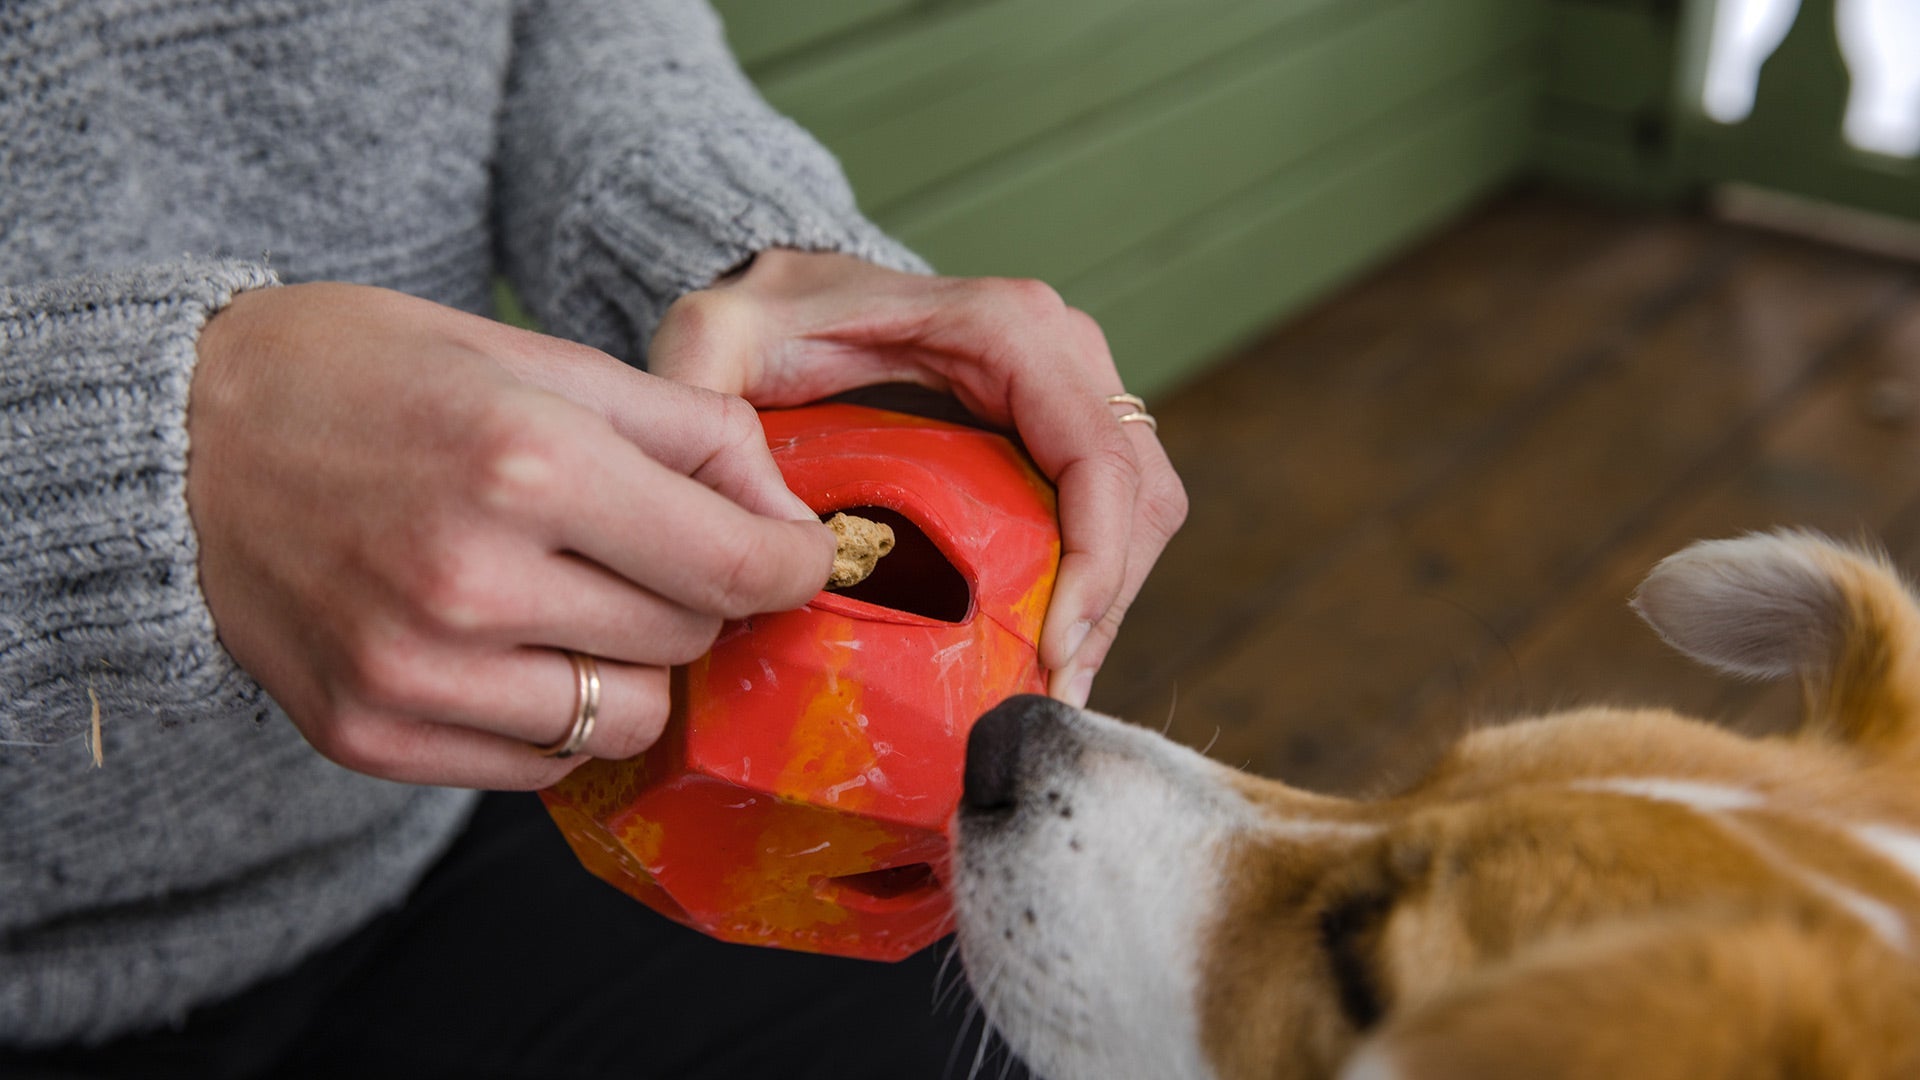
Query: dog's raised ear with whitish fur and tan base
{"points": [[1798, 604]]}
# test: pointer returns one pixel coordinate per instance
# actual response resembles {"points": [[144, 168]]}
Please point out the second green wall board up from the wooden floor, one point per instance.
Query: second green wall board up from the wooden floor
{"points": [[1088, 197]]}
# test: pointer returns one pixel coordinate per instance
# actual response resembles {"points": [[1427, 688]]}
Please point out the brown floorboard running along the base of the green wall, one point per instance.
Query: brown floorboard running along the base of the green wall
{"points": [[1366, 406]]}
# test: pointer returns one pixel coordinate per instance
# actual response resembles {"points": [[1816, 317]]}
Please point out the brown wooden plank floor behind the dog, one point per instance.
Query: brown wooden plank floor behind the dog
{"points": [[1426, 504]]}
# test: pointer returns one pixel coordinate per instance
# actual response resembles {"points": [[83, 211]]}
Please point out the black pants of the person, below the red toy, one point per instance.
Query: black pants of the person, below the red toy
{"points": [[512, 962]]}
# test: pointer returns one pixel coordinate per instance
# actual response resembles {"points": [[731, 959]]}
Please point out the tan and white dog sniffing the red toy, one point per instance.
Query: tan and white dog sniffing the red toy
{"points": [[1589, 895]]}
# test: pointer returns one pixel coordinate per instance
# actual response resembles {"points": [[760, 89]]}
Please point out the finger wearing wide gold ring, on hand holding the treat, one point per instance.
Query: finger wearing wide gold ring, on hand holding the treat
{"points": [[527, 697]]}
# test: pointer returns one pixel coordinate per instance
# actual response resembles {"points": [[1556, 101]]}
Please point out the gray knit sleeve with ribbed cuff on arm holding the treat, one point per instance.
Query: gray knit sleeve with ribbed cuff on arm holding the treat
{"points": [[99, 587]]}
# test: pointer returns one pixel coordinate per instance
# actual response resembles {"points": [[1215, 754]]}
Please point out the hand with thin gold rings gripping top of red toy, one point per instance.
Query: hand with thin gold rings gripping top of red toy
{"points": [[798, 328]]}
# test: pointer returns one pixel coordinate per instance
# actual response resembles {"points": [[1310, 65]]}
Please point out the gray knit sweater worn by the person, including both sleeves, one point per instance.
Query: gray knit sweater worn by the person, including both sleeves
{"points": [[158, 157]]}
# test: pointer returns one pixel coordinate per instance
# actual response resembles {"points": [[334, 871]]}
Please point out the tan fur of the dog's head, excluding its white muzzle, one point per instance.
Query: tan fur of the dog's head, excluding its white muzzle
{"points": [[1610, 893]]}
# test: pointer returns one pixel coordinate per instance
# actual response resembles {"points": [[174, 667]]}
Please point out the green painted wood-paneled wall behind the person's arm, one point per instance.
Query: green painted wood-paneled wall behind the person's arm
{"points": [[1189, 172]]}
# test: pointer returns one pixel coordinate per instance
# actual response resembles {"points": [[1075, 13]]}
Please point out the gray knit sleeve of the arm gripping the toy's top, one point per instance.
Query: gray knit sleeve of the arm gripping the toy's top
{"points": [[638, 164]]}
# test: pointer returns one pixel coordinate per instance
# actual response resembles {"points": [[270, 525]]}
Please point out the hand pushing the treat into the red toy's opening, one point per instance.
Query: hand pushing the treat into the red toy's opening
{"points": [[406, 514]]}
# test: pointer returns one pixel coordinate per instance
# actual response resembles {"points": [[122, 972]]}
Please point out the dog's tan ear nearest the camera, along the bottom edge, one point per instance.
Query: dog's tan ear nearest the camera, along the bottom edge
{"points": [[1756, 1000]]}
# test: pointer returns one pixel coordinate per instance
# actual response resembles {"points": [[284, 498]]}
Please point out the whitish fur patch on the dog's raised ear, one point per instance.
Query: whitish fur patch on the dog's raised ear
{"points": [[1760, 606]]}
